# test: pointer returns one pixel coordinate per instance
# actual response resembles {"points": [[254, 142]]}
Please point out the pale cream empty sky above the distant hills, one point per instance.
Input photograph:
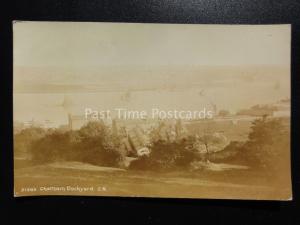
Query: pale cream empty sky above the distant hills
{"points": [[62, 44]]}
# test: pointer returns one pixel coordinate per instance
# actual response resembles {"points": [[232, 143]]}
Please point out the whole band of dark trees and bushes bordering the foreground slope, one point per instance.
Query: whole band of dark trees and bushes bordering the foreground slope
{"points": [[267, 147]]}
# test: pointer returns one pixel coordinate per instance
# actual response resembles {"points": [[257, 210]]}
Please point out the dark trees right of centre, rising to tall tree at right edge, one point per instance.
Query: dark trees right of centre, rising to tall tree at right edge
{"points": [[267, 148]]}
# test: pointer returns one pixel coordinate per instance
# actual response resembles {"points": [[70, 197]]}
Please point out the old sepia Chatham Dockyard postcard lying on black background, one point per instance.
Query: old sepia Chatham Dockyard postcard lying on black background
{"points": [[152, 110]]}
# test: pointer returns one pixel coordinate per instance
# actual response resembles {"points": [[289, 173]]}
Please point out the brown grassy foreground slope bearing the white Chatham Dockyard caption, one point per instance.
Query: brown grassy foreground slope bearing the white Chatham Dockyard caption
{"points": [[73, 178]]}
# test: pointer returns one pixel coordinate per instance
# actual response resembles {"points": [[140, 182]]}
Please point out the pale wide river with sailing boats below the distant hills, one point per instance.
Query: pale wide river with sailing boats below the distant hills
{"points": [[56, 106]]}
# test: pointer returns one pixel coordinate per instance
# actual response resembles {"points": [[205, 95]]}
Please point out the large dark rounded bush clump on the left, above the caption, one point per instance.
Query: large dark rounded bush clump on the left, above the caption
{"points": [[93, 144]]}
